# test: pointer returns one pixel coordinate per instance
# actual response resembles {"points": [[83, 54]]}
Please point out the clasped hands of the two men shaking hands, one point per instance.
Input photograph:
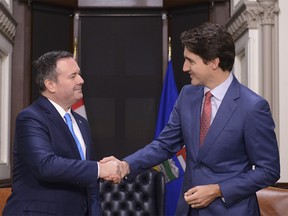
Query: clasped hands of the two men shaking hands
{"points": [[112, 169]]}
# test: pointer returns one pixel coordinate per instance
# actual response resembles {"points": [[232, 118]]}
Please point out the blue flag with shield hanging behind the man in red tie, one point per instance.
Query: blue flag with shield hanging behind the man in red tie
{"points": [[173, 169]]}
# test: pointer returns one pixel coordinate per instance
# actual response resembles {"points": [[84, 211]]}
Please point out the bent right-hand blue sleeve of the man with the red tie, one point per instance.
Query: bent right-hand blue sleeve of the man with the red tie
{"points": [[262, 149]]}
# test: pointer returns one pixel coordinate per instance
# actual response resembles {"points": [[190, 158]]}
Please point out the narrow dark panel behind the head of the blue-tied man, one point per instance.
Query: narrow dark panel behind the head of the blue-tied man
{"points": [[52, 29]]}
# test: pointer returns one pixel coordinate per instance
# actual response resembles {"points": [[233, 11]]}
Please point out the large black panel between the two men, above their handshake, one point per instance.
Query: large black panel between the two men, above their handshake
{"points": [[121, 62]]}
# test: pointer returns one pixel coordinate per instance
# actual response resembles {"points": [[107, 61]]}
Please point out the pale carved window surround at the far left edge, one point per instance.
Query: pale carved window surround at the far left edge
{"points": [[7, 33]]}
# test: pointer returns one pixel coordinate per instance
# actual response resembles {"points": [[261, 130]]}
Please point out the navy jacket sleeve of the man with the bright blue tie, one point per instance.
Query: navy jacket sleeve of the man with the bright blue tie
{"points": [[45, 148]]}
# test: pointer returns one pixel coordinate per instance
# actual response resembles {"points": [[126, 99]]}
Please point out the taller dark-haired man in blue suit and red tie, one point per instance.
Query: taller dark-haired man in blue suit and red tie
{"points": [[239, 154]]}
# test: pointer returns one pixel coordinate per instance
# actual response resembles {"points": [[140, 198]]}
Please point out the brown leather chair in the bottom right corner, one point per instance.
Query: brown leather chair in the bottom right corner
{"points": [[273, 201]]}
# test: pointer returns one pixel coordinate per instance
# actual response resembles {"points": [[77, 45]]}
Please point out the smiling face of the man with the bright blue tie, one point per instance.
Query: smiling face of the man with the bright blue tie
{"points": [[67, 88]]}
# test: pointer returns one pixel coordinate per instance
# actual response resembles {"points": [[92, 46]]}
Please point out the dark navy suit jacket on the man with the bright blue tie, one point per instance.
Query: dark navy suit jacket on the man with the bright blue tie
{"points": [[49, 177]]}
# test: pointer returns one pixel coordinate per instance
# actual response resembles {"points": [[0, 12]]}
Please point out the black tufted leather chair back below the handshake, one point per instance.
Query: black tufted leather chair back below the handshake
{"points": [[143, 196]]}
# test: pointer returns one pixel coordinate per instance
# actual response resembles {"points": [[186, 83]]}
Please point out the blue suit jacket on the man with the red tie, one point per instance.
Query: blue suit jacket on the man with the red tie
{"points": [[240, 152]]}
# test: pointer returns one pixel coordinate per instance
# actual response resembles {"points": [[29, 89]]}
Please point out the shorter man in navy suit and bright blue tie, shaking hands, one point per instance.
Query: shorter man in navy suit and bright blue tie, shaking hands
{"points": [[49, 176]]}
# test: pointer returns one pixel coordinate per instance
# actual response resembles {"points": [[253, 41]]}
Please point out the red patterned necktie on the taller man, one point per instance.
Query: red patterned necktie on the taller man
{"points": [[205, 117]]}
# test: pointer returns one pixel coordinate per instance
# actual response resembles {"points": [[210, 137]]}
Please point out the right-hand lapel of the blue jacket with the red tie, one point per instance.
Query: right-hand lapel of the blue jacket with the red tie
{"points": [[226, 110]]}
